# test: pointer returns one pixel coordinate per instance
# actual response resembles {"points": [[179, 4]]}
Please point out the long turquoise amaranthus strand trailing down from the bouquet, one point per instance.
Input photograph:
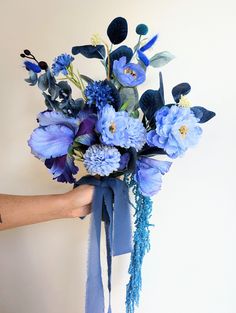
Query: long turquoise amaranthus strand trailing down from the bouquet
{"points": [[141, 239]]}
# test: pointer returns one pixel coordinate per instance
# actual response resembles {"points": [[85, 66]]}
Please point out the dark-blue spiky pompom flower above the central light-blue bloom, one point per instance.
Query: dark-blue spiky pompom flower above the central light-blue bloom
{"points": [[98, 93]]}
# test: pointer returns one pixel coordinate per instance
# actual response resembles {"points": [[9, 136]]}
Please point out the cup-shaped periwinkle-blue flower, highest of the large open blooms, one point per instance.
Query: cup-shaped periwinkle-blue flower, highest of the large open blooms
{"points": [[130, 74]]}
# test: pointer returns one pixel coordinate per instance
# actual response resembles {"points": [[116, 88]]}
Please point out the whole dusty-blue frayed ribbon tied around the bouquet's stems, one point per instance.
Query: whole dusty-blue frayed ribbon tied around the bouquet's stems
{"points": [[111, 205]]}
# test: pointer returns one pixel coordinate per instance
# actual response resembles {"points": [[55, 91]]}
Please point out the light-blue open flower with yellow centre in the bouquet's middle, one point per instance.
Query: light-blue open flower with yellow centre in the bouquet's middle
{"points": [[112, 126]]}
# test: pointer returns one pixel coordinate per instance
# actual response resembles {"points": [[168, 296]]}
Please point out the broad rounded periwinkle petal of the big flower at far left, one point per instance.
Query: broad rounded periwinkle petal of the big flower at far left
{"points": [[51, 141]]}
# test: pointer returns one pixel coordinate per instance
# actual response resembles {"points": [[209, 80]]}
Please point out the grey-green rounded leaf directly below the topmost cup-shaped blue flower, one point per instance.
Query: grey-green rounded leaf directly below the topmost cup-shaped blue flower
{"points": [[128, 94]]}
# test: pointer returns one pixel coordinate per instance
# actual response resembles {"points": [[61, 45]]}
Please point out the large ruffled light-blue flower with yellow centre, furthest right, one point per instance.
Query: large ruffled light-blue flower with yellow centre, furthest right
{"points": [[176, 130]]}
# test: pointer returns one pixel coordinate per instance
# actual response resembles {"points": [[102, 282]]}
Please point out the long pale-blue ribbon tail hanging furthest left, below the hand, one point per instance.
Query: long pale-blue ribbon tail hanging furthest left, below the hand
{"points": [[94, 288]]}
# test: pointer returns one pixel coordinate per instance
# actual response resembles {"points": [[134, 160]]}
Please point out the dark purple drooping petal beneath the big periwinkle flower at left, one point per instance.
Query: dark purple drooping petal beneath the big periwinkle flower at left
{"points": [[62, 168]]}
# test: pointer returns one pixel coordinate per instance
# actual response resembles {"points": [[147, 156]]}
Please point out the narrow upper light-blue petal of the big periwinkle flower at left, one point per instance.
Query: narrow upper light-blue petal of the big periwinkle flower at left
{"points": [[47, 118]]}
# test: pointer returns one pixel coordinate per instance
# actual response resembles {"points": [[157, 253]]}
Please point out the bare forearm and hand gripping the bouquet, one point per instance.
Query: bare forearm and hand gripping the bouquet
{"points": [[24, 210]]}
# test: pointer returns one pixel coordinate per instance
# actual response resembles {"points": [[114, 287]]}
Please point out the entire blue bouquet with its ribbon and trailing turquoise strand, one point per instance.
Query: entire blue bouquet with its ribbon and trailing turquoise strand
{"points": [[116, 134]]}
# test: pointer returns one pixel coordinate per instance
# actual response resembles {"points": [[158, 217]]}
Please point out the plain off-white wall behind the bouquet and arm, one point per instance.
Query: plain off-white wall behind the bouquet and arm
{"points": [[191, 267]]}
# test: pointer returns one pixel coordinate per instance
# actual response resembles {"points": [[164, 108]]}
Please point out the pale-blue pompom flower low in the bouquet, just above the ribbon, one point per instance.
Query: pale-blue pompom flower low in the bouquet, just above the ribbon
{"points": [[101, 160]]}
